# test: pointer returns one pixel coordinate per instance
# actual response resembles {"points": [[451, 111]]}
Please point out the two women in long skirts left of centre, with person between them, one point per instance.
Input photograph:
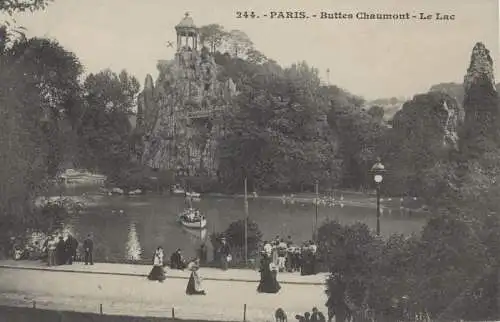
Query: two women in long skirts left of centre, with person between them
{"points": [[157, 273]]}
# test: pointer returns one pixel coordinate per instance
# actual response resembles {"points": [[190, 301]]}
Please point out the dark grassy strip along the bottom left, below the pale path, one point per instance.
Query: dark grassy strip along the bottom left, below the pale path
{"points": [[21, 314]]}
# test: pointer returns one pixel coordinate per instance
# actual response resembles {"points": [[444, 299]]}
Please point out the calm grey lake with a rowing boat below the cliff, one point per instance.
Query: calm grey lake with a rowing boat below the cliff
{"points": [[131, 227]]}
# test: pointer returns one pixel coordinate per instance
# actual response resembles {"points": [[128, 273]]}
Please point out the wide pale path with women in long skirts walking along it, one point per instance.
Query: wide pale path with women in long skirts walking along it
{"points": [[123, 289]]}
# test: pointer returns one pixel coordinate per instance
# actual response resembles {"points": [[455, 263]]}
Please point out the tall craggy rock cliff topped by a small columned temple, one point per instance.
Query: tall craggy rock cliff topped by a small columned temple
{"points": [[180, 115]]}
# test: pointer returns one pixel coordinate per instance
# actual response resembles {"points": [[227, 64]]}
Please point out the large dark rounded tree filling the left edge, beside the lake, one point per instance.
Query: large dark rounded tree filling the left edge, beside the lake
{"points": [[39, 85]]}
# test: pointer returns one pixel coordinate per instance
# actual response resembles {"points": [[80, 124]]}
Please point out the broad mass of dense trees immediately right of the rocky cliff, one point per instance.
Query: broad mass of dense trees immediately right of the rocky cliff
{"points": [[288, 130]]}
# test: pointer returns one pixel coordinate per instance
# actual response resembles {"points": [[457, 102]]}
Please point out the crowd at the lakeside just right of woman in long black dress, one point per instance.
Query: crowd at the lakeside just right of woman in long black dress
{"points": [[287, 256]]}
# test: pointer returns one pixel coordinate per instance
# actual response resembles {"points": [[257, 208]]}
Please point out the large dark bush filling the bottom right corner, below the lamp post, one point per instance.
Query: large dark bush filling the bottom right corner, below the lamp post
{"points": [[448, 271]]}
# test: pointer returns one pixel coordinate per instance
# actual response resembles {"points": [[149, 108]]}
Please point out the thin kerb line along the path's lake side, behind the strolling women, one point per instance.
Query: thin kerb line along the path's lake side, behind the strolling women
{"points": [[145, 275]]}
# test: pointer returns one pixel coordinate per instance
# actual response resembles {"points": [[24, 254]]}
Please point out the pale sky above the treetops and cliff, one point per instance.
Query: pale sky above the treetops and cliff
{"points": [[373, 59]]}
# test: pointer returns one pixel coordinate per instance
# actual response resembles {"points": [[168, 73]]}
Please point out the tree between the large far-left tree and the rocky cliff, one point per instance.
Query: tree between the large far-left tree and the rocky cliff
{"points": [[105, 129]]}
